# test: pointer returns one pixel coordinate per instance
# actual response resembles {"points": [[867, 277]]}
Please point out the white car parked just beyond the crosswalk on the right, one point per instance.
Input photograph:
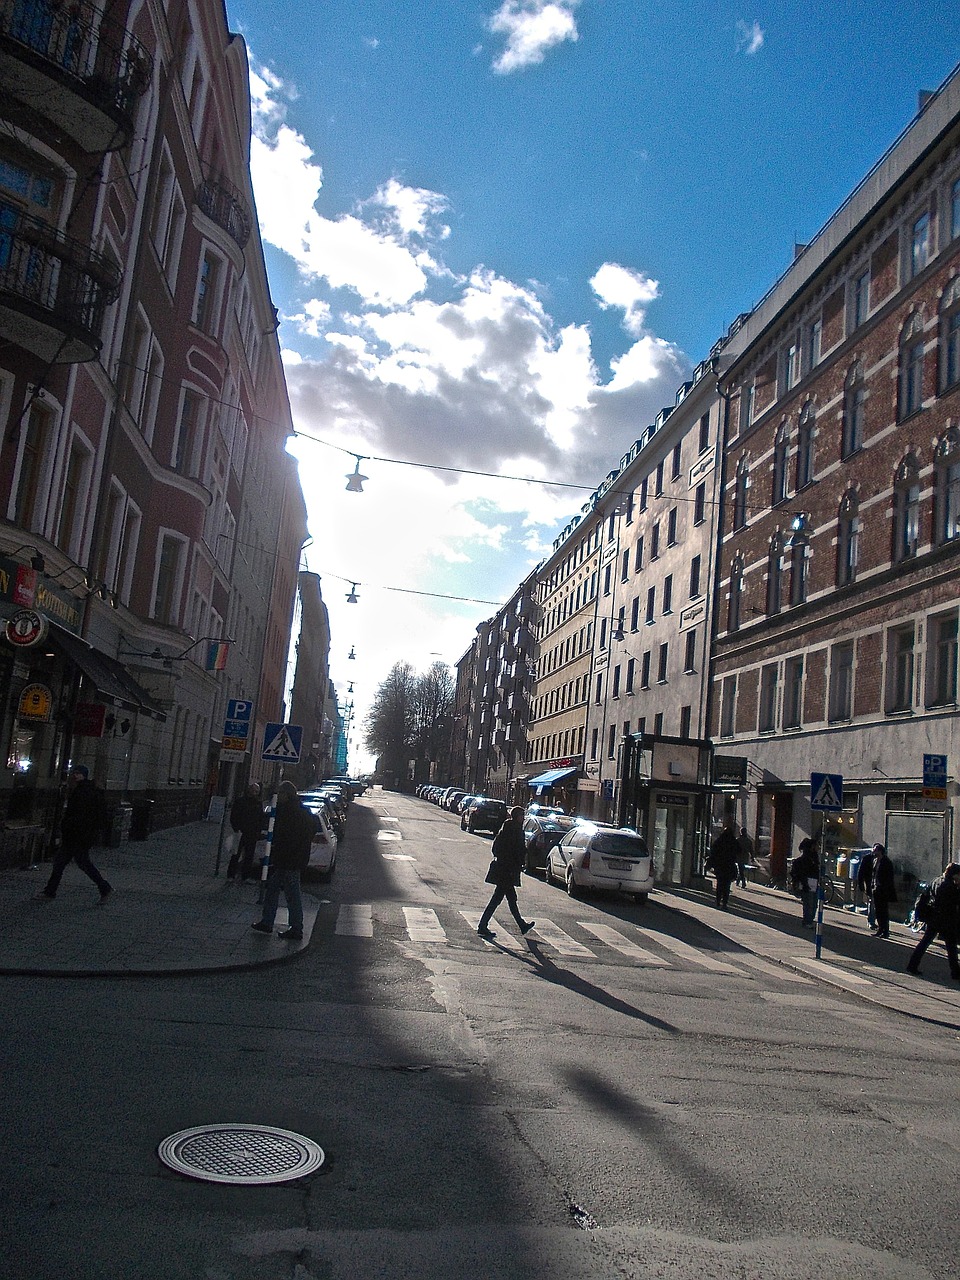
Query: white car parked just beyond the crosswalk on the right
{"points": [[595, 857]]}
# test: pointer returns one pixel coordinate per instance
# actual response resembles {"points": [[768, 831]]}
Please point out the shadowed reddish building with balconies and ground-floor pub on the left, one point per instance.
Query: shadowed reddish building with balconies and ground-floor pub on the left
{"points": [[152, 518]]}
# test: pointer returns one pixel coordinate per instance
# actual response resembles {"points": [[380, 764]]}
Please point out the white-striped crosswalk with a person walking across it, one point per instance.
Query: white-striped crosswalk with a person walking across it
{"points": [[588, 940]]}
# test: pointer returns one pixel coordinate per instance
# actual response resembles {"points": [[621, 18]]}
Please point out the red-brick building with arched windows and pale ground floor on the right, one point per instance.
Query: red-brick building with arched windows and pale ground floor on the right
{"points": [[836, 643]]}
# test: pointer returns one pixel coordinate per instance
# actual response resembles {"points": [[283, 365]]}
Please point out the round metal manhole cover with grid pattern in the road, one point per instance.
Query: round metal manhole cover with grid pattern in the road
{"points": [[246, 1155]]}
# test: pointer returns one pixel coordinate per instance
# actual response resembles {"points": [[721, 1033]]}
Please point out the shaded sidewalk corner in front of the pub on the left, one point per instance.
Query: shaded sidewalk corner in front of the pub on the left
{"points": [[168, 915]]}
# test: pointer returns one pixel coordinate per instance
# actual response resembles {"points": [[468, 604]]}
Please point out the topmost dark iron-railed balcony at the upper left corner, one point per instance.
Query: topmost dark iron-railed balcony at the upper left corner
{"points": [[76, 67]]}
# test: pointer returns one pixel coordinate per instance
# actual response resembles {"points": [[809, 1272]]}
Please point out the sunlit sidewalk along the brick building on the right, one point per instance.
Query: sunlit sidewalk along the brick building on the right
{"points": [[767, 924]]}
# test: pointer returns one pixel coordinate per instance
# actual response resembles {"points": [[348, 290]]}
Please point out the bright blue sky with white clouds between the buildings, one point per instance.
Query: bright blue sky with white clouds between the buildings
{"points": [[502, 234]]}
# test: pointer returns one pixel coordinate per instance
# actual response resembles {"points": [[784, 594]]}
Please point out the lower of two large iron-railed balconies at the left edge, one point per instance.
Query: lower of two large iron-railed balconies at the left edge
{"points": [[54, 291]]}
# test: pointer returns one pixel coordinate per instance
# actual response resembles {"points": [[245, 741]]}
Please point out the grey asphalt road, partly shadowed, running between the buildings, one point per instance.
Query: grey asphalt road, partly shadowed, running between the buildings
{"points": [[621, 1095]]}
